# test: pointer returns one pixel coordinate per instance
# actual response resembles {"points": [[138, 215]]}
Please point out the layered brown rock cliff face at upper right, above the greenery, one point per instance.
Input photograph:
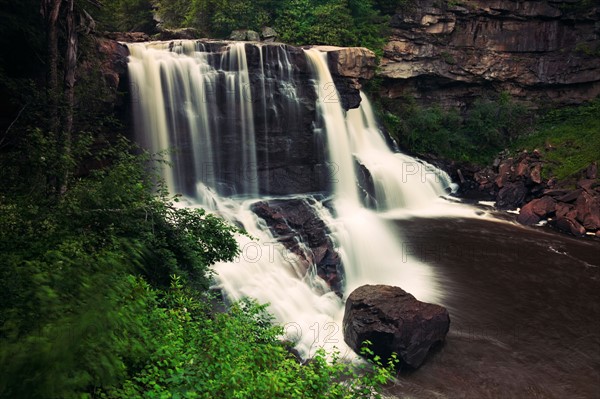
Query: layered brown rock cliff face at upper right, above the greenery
{"points": [[451, 52]]}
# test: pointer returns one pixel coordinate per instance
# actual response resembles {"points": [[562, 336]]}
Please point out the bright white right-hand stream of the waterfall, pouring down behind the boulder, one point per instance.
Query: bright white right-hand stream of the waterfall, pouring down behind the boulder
{"points": [[371, 250]]}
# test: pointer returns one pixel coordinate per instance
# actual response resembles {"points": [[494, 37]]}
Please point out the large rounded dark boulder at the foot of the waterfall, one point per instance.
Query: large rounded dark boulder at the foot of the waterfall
{"points": [[394, 321]]}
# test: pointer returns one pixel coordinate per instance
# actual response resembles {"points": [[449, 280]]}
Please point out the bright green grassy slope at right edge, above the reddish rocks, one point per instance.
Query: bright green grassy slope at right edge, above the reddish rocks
{"points": [[569, 139]]}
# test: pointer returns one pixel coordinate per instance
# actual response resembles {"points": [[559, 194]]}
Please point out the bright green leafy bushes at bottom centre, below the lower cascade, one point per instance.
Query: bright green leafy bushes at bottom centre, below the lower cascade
{"points": [[237, 355]]}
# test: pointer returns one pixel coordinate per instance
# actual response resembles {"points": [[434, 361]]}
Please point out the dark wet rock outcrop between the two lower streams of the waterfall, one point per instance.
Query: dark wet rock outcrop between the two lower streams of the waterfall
{"points": [[296, 225]]}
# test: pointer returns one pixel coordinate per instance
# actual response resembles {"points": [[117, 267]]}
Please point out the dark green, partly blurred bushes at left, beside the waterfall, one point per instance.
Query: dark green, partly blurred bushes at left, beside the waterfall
{"points": [[73, 297]]}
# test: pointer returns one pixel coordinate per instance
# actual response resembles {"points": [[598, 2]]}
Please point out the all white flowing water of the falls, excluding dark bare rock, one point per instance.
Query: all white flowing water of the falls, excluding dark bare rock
{"points": [[175, 108]]}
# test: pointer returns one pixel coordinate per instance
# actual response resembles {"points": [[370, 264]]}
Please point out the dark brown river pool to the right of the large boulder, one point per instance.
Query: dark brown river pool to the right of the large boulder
{"points": [[524, 305]]}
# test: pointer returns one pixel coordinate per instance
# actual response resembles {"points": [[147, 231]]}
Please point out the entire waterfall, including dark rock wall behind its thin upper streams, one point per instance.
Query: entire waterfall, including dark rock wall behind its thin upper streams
{"points": [[210, 101]]}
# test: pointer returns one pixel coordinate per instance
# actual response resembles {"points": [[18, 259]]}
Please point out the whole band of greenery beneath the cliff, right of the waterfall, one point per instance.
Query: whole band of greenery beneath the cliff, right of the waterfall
{"points": [[569, 138]]}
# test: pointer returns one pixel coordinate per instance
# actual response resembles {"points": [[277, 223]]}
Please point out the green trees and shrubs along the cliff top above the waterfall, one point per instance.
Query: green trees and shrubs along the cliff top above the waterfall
{"points": [[334, 22]]}
